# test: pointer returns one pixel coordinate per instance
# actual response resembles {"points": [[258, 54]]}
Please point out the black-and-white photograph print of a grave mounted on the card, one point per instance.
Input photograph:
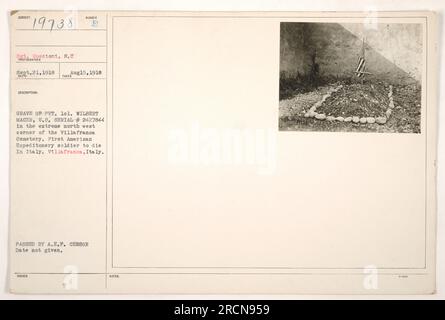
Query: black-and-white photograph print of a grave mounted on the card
{"points": [[350, 77]]}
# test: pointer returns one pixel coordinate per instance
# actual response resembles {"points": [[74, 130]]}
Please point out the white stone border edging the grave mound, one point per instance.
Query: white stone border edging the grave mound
{"points": [[311, 113]]}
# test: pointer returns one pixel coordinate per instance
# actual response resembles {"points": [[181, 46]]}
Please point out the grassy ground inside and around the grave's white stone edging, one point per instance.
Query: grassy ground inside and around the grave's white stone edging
{"points": [[371, 100]]}
